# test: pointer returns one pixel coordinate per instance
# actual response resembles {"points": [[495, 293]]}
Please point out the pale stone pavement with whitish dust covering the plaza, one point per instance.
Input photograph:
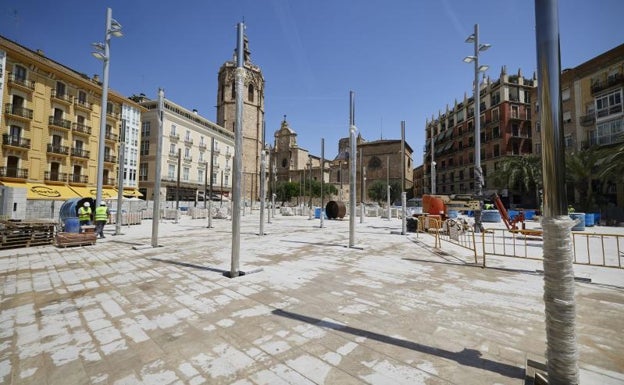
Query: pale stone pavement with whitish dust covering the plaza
{"points": [[392, 310]]}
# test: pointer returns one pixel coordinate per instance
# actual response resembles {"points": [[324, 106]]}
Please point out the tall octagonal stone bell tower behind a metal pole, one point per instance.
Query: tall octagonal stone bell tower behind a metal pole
{"points": [[253, 116]]}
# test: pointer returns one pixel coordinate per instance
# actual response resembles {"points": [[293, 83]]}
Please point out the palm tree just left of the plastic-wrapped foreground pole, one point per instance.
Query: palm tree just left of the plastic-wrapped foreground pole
{"points": [[522, 173]]}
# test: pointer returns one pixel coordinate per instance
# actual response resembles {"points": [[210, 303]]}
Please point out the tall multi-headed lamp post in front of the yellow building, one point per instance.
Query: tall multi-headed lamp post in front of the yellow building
{"points": [[113, 28]]}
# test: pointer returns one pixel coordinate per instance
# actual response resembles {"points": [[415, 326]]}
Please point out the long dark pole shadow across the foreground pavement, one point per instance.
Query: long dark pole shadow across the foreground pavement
{"points": [[466, 357]]}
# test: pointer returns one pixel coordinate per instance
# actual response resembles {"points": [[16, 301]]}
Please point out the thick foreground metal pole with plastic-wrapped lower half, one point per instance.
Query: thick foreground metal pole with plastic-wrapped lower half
{"points": [[559, 299]]}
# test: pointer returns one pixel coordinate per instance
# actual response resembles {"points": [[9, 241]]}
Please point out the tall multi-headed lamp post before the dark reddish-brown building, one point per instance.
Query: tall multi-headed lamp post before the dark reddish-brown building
{"points": [[478, 173]]}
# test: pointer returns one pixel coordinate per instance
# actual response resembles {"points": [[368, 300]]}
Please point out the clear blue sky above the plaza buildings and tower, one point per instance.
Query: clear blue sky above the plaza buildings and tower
{"points": [[402, 58]]}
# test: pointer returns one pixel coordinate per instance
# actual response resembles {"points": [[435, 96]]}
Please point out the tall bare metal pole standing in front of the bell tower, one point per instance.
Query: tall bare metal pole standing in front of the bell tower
{"points": [[238, 156]]}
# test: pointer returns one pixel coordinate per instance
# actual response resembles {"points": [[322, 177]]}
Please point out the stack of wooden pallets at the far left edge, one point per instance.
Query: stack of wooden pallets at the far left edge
{"points": [[18, 233]]}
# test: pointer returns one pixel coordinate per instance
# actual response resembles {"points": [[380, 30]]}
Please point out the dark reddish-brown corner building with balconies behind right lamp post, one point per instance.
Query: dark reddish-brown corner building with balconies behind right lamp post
{"points": [[506, 130]]}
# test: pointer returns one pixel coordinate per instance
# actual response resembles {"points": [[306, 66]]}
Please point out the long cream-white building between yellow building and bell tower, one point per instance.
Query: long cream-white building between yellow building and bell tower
{"points": [[187, 153]]}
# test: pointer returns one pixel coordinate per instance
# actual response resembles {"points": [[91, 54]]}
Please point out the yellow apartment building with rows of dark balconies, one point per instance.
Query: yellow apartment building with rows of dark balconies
{"points": [[50, 124]]}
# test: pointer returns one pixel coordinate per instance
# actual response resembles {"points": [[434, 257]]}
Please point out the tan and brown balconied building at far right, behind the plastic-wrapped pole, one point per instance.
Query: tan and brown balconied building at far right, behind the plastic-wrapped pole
{"points": [[592, 111]]}
